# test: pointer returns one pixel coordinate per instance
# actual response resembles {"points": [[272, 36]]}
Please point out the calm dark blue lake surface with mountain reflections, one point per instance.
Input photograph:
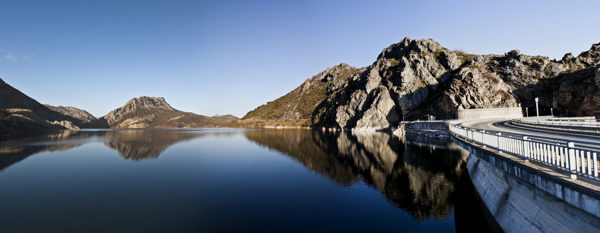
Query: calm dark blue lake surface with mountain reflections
{"points": [[233, 180]]}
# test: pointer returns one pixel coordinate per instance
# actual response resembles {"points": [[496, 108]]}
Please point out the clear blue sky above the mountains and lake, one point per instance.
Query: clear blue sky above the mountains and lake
{"points": [[228, 57]]}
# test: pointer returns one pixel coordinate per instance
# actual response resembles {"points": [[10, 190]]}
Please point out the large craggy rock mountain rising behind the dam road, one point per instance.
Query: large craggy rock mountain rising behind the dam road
{"points": [[415, 78]]}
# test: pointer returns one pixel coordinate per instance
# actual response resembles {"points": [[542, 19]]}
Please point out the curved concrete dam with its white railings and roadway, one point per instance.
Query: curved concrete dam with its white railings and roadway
{"points": [[532, 183]]}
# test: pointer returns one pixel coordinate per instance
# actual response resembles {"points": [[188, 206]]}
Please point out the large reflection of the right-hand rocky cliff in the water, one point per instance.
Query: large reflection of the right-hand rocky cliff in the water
{"points": [[419, 179]]}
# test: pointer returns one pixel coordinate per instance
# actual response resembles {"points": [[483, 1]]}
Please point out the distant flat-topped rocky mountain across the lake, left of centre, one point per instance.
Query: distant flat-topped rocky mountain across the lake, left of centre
{"points": [[153, 112]]}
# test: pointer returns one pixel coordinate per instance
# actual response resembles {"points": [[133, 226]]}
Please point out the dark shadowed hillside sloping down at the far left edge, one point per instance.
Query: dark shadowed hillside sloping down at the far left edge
{"points": [[19, 112]]}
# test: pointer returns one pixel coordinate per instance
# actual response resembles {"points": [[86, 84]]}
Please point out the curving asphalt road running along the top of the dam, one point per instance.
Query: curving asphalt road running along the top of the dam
{"points": [[509, 127]]}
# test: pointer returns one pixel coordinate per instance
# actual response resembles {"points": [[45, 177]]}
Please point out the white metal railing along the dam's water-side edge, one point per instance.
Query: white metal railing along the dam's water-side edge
{"points": [[576, 157]]}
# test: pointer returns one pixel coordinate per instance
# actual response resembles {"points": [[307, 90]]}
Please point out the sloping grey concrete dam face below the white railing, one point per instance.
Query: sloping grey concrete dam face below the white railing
{"points": [[525, 199]]}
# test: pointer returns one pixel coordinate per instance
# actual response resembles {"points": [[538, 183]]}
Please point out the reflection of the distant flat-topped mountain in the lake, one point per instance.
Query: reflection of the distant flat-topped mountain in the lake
{"points": [[144, 144]]}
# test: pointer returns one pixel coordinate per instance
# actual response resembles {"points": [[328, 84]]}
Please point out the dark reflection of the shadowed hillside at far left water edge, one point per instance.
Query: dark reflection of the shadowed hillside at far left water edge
{"points": [[14, 151]]}
